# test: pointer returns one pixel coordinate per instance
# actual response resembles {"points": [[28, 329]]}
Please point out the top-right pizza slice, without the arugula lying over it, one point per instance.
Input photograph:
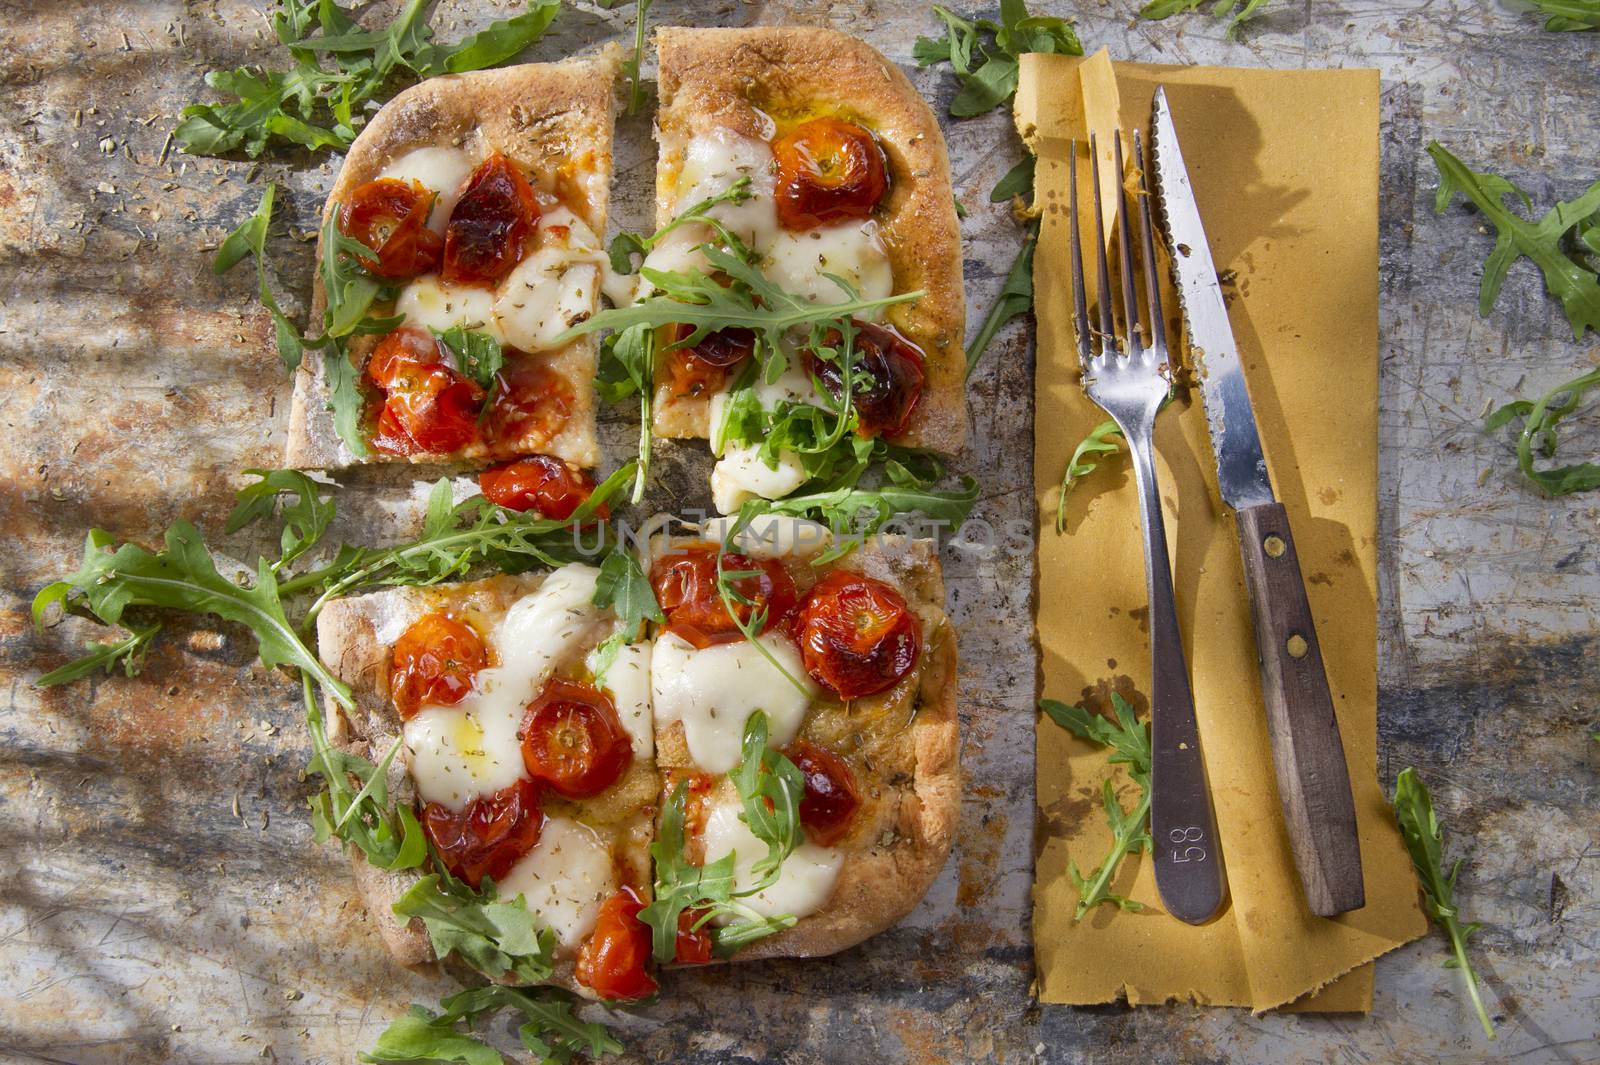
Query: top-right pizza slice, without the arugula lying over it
{"points": [[847, 193]]}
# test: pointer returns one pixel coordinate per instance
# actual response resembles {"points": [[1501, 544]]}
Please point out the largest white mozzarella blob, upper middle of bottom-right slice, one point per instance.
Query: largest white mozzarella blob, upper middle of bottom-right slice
{"points": [[713, 692]]}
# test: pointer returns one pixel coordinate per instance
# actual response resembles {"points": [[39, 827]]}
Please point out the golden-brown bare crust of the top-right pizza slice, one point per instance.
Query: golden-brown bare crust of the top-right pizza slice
{"points": [[740, 79]]}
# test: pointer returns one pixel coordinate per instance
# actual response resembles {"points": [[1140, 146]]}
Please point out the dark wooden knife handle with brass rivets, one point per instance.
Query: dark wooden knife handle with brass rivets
{"points": [[1313, 778]]}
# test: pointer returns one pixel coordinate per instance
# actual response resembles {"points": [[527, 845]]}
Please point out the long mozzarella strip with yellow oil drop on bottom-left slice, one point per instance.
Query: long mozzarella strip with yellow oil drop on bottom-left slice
{"points": [[471, 749]]}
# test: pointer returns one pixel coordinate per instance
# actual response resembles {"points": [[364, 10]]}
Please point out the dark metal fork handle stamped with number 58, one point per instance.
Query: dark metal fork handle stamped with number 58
{"points": [[1183, 831]]}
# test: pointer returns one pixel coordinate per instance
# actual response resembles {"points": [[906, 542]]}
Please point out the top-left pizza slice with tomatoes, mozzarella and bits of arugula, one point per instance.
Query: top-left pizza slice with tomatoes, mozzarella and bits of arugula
{"points": [[465, 231]]}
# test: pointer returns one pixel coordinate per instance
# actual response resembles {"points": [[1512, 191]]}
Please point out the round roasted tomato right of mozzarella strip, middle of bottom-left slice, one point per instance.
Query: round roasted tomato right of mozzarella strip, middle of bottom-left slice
{"points": [[574, 741]]}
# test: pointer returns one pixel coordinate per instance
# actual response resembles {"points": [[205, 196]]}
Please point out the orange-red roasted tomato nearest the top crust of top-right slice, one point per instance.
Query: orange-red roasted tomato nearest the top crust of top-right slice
{"points": [[828, 172]]}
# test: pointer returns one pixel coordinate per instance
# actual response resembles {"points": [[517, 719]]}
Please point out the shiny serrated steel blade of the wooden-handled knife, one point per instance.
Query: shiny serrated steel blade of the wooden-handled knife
{"points": [[1241, 468]]}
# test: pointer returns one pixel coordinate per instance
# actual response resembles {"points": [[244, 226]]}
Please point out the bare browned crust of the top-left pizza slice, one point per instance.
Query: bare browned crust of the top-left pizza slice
{"points": [[556, 119]]}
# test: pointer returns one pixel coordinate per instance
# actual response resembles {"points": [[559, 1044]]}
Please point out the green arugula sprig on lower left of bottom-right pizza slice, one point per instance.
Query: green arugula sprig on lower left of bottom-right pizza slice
{"points": [[770, 788]]}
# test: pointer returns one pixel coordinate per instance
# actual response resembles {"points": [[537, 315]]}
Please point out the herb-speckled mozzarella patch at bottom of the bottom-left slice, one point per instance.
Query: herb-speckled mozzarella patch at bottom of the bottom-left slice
{"points": [[564, 880]]}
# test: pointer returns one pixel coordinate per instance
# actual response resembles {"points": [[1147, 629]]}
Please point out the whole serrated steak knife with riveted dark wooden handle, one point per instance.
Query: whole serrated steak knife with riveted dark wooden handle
{"points": [[1314, 783]]}
